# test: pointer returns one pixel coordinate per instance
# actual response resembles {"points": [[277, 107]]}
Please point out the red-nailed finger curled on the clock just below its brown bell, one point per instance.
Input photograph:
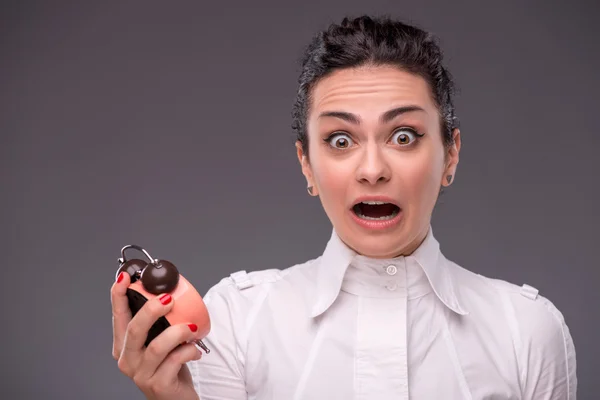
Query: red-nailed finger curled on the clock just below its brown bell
{"points": [[142, 321]]}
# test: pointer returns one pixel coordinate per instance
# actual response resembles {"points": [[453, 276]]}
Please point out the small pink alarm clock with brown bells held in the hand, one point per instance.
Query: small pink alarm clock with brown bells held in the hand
{"points": [[155, 277]]}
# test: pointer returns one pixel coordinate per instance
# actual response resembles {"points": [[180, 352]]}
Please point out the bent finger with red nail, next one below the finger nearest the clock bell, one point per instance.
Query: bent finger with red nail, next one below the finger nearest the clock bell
{"points": [[160, 348]]}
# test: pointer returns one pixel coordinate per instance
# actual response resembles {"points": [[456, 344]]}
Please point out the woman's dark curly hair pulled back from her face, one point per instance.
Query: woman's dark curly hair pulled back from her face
{"points": [[374, 41]]}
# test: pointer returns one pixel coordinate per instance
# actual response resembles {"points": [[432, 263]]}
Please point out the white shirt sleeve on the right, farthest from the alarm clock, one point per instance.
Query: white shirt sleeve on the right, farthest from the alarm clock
{"points": [[548, 360]]}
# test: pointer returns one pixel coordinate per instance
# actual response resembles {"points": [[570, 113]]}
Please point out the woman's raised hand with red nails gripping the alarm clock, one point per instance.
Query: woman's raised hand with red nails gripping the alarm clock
{"points": [[158, 370]]}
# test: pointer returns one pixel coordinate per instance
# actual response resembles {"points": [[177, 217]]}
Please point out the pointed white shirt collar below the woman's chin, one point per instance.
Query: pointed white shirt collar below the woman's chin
{"points": [[337, 256]]}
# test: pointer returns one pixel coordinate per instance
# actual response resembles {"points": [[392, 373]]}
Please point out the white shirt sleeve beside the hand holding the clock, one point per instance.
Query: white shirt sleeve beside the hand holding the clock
{"points": [[219, 375]]}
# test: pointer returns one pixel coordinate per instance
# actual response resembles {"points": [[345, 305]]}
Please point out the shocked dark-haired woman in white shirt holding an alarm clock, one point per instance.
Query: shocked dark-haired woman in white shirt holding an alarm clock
{"points": [[381, 314]]}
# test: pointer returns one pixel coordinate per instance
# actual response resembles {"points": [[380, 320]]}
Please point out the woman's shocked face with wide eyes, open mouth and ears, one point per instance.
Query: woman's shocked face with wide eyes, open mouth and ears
{"points": [[374, 135]]}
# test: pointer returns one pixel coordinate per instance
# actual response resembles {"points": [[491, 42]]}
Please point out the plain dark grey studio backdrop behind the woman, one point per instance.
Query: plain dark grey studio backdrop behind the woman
{"points": [[167, 124]]}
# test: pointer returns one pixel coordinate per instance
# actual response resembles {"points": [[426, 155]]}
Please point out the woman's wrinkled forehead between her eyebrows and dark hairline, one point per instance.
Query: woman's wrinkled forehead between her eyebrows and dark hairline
{"points": [[371, 88]]}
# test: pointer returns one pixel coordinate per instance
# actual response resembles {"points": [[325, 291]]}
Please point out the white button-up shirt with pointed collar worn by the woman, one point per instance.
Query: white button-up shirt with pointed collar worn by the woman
{"points": [[344, 326]]}
